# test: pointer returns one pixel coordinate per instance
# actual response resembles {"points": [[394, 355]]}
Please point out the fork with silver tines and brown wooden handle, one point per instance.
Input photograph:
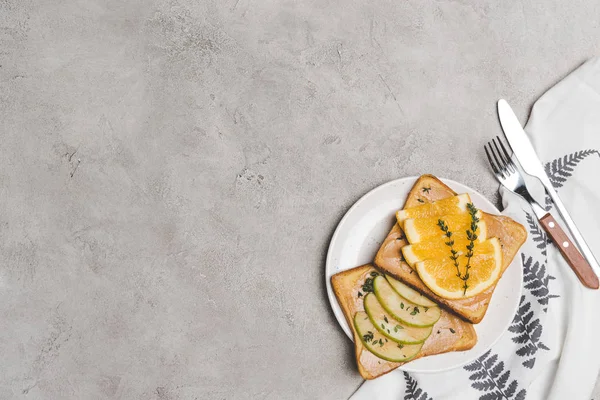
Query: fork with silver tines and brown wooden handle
{"points": [[509, 173]]}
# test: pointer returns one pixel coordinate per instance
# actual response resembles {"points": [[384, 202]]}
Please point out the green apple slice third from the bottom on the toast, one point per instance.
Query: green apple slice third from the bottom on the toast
{"points": [[402, 309]]}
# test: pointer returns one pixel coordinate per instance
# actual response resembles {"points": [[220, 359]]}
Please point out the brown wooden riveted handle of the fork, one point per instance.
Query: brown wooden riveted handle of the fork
{"points": [[580, 266]]}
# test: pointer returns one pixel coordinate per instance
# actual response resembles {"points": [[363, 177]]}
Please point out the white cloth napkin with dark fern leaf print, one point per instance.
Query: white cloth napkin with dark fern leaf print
{"points": [[552, 348]]}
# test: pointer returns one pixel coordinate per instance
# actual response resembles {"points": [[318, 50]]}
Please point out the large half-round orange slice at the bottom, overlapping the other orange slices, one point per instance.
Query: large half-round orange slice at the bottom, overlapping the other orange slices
{"points": [[440, 274]]}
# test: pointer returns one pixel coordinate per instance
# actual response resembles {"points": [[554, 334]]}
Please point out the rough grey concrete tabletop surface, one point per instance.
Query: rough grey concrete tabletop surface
{"points": [[172, 171]]}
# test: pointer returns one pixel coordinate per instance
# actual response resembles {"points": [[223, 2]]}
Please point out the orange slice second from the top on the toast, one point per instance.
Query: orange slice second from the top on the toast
{"points": [[423, 229]]}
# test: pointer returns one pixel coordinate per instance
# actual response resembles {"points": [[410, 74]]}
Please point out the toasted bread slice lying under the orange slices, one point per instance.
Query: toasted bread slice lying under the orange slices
{"points": [[510, 233]]}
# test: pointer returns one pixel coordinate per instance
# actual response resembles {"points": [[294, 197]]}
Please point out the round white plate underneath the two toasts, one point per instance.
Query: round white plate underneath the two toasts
{"points": [[360, 234]]}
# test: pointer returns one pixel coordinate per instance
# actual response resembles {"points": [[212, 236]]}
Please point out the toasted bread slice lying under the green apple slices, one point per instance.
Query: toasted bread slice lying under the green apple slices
{"points": [[346, 286]]}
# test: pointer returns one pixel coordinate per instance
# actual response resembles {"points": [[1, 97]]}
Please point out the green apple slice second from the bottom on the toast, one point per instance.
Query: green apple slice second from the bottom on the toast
{"points": [[389, 327]]}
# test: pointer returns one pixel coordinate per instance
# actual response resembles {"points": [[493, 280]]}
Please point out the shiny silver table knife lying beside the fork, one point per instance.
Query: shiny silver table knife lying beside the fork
{"points": [[531, 164]]}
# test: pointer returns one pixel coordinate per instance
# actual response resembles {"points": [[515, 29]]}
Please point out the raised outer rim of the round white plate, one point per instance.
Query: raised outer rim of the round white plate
{"points": [[339, 313]]}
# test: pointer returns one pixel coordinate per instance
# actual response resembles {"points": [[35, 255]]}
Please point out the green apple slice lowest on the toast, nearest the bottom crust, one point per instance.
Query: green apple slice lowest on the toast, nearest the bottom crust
{"points": [[381, 346]]}
